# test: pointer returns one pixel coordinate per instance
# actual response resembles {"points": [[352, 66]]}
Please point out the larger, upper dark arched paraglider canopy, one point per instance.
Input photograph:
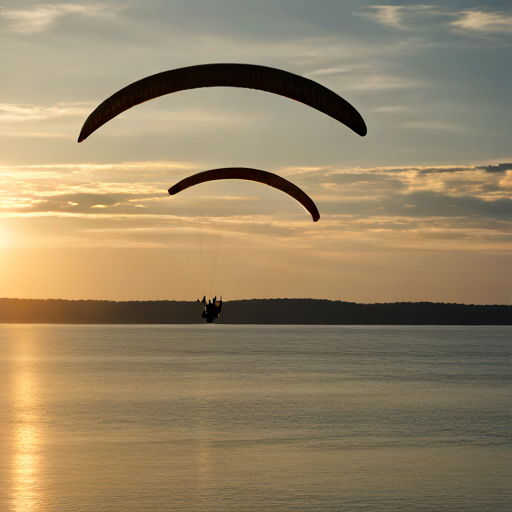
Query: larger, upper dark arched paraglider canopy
{"points": [[247, 76]]}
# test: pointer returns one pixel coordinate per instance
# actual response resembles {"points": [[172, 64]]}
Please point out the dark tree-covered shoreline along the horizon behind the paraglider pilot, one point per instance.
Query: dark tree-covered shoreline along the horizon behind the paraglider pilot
{"points": [[257, 311]]}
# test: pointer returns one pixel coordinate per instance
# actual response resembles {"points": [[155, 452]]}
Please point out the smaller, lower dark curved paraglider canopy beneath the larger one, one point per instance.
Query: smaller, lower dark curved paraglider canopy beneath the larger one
{"points": [[245, 173]]}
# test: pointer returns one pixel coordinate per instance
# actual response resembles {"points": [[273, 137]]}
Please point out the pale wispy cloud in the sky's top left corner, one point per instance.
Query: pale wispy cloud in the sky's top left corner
{"points": [[44, 16]]}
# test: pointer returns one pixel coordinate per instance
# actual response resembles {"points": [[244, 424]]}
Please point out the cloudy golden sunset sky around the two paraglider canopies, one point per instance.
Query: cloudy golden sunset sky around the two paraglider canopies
{"points": [[418, 210]]}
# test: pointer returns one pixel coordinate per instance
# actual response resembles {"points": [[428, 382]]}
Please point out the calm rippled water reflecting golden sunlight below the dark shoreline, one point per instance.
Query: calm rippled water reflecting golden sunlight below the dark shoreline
{"points": [[229, 418]]}
